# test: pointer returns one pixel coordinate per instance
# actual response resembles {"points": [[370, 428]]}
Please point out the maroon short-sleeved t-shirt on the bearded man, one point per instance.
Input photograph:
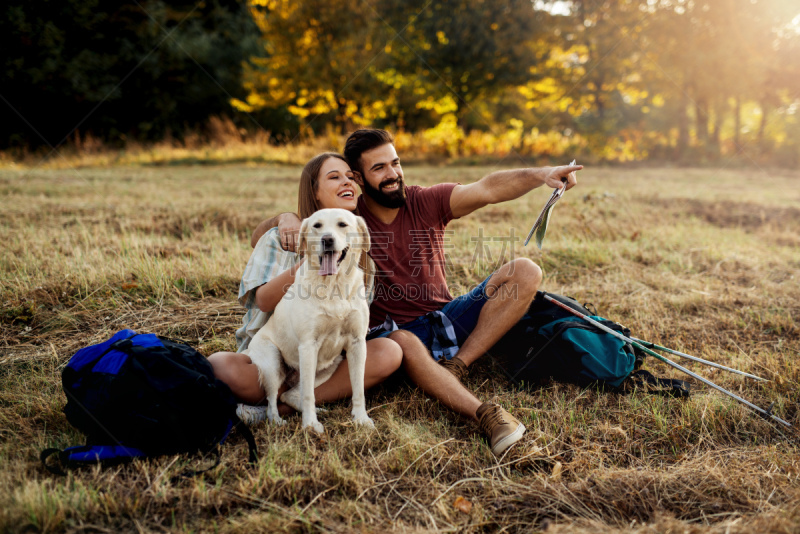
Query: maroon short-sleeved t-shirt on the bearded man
{"points": [[409, 255]]}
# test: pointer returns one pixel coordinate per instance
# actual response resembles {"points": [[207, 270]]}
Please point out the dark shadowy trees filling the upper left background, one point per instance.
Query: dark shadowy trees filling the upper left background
{"points": [[118, 69]]}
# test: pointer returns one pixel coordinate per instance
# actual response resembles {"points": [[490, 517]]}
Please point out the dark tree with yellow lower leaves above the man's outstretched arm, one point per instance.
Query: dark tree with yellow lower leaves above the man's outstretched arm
{"points": [[454, 53]]}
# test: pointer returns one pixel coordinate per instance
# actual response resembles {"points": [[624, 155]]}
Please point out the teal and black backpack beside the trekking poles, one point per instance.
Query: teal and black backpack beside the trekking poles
{"points": [[549, 342]]}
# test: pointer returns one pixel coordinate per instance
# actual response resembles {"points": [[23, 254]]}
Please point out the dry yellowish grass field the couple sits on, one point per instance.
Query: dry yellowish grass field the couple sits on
{"points": [[704, 261]]}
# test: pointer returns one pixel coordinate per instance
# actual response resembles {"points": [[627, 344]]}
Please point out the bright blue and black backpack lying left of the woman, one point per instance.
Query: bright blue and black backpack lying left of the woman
{"points": [[138, 396]]}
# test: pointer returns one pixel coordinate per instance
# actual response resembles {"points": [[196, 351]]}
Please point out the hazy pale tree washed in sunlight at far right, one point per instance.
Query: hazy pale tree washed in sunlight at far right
{"points": [[714, 56]]}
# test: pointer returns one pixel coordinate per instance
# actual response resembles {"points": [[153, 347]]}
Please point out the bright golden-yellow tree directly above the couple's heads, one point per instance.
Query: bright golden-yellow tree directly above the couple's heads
{"points": [[317, 58]]}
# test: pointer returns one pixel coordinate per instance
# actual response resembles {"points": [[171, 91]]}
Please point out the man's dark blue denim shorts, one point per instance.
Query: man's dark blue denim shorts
{"points": [[462, 311]]}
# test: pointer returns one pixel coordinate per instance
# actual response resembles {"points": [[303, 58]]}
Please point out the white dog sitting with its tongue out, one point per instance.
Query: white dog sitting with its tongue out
{"points": [[324, 312]]}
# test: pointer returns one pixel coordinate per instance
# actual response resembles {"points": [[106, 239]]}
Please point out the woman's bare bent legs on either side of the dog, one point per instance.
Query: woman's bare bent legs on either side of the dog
{"points": [[384, 357]]}
